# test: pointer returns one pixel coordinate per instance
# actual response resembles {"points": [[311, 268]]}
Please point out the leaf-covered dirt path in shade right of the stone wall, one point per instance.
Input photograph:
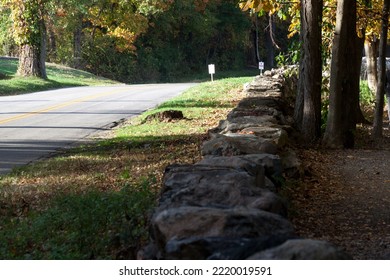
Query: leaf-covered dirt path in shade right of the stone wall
{"points": [[345, 199]]}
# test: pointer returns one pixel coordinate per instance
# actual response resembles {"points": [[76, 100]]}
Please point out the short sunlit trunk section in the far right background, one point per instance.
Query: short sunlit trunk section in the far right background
{"points": [[370, 47]]}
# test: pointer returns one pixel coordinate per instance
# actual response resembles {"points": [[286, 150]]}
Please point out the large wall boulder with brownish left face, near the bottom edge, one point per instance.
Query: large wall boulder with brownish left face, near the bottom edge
{"points": [[195, 222]]}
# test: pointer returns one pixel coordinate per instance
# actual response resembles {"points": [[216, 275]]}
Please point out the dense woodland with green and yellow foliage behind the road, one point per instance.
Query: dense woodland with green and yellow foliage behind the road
{"points": [[151, 41]]}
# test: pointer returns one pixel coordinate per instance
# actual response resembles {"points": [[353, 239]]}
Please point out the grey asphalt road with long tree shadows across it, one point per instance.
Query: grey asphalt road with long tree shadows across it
{"points": [[36, 125]]}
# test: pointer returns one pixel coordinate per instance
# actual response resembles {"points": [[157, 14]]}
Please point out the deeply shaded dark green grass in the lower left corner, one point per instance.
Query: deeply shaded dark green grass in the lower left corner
{"points": [[82, 226]]}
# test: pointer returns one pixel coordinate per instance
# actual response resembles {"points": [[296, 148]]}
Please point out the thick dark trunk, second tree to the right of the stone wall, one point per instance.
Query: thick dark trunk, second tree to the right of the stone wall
{"points": [[344, 79]]}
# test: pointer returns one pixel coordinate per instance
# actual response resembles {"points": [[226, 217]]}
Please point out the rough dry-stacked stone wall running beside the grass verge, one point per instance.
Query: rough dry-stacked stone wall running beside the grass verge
{"points": [[227, 205]]}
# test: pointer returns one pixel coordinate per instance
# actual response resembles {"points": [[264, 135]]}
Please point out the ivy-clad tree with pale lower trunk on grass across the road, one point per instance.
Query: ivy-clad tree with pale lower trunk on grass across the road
{"points": [[30, 35]]}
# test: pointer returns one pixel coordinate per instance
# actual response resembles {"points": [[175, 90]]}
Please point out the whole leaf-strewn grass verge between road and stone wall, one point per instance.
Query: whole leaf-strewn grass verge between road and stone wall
{"points": [[94, 202]]}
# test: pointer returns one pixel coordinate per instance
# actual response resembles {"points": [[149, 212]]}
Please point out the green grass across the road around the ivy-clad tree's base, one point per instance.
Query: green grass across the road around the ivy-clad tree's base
{"points": [[58, 77]]}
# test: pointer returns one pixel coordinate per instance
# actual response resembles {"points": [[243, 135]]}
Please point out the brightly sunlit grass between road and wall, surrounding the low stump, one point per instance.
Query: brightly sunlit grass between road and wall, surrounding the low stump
{"points": [[199, 106]]}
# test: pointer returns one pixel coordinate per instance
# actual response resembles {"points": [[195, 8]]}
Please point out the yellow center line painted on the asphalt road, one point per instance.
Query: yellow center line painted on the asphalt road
{"points": [[61, 105]]}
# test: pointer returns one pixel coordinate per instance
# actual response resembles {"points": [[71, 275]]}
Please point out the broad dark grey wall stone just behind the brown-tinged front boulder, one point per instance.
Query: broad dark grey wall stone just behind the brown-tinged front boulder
{"points": [[215, 186]]}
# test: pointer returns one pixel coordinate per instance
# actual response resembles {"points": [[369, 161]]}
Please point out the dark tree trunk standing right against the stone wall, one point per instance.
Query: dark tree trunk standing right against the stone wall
{"points": [[308, 103]]}
